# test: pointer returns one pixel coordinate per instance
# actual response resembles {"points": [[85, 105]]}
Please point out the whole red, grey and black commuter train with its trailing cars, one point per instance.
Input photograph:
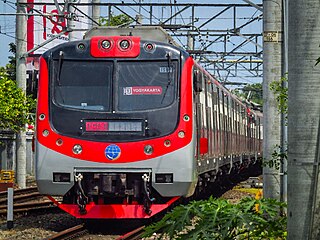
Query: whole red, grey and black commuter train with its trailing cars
{"points": [[128, 123]]}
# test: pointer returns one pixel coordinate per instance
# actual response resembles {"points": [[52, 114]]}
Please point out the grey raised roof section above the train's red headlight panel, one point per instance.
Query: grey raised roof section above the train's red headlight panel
{"points": [[152, 33]]}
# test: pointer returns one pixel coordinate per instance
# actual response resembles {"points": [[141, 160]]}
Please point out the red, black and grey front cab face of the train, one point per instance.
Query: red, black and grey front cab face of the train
{"points": [[78, 162]]}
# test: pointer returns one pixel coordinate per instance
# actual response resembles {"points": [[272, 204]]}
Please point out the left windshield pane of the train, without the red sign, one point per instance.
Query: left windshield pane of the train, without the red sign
{"points": [[78, 85]]}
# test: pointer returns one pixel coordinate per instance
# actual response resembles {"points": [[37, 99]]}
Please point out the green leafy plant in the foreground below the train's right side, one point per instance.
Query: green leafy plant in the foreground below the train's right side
{"points": [[219, 219]]}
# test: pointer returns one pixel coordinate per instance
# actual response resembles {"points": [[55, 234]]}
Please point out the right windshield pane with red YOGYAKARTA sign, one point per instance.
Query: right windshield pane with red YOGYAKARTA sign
{"points": [[146, 85]]}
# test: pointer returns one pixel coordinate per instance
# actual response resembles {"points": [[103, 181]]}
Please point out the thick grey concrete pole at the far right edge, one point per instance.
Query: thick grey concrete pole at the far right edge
{"points": [[303, 120]]}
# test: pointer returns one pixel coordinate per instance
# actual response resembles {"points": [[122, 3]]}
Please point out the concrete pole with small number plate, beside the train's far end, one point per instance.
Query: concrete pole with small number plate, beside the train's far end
{"points": [[272, 71]]}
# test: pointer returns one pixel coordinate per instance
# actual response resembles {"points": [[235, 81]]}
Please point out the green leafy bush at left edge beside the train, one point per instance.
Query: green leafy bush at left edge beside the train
{"points": [[14, 105]]}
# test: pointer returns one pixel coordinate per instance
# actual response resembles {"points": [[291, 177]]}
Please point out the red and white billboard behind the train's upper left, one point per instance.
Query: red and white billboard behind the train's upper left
{"points": [[41, 28]]}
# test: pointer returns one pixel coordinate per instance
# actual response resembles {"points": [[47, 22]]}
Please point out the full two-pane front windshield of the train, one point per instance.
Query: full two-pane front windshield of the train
{"points": [[136, 86]]}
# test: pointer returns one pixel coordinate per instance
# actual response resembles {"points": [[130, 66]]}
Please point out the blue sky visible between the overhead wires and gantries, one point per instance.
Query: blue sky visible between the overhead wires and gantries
{"points": [[7, 22]]}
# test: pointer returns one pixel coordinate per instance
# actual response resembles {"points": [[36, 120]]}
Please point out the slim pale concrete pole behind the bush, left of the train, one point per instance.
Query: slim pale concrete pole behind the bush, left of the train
{"points": [[21, 43]]}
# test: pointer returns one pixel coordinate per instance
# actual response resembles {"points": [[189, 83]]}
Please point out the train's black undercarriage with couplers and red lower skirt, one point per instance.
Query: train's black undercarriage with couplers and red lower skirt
{"points": [[131, 195]]}
